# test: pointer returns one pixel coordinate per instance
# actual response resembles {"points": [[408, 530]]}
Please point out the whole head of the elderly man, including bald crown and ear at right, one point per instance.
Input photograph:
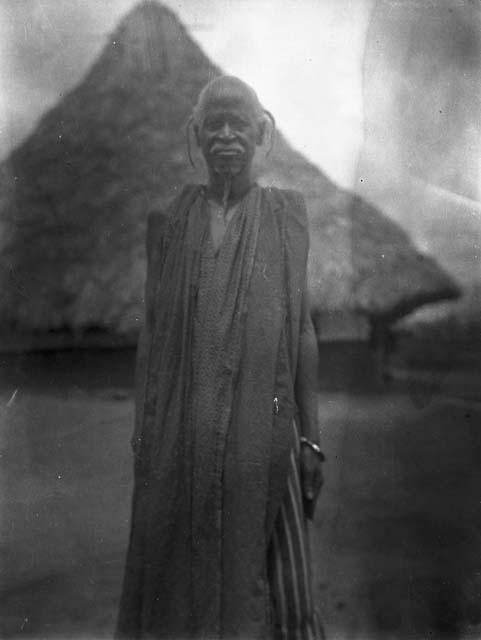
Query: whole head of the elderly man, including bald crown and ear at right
{"points": [[229, 122]]}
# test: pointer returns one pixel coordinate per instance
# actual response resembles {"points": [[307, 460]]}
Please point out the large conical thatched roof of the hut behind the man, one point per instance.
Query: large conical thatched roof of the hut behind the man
{"points": [[75, 195]]}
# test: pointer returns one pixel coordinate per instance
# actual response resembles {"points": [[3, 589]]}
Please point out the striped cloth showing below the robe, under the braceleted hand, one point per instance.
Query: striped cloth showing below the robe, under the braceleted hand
{"points": [[294, 617]]}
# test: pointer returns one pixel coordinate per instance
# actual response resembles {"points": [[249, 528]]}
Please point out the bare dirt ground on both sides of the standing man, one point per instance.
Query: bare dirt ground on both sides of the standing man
{"points": [[396, 539]]}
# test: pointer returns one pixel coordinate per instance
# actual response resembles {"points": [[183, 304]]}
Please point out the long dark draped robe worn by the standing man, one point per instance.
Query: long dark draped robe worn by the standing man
{"points": [[217, 361]]}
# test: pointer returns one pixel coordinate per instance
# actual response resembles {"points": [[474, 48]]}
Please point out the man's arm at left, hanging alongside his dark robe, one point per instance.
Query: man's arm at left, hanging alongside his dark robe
{"points": [[156, 225]]}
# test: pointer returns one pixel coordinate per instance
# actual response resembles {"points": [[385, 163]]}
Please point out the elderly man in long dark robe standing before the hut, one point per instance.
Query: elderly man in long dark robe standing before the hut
{"points": [[227, 458]]}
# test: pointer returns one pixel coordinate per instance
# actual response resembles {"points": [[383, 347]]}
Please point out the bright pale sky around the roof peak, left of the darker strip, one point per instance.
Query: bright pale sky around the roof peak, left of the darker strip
{"points": [[304, 57]]}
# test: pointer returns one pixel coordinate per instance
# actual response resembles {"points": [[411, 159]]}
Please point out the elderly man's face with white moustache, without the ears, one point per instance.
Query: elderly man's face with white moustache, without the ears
{"points": [[228, 135]]}
